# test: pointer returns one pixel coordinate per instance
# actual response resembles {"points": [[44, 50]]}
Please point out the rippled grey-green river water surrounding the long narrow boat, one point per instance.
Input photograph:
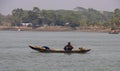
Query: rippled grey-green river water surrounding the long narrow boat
{"points": [[15, 55]]}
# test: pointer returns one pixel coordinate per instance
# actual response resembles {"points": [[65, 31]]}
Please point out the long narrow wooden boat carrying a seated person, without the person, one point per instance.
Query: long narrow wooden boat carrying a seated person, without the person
{"points": [[51, 50]]}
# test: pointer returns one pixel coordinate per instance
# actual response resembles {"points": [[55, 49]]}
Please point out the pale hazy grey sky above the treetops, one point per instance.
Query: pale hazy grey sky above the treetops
{"points": [[6, 6]]}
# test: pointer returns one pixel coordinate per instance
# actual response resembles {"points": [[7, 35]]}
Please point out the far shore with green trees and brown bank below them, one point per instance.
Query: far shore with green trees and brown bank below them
{"points": [[77, 19]]}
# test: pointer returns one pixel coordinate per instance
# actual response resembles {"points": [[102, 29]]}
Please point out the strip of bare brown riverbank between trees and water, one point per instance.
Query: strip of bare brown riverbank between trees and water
{"points": [[55, 28]]}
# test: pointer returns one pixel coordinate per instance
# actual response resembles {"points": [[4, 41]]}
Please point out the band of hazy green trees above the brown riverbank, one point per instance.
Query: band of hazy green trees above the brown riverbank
{"points": [[79, 17]]}
